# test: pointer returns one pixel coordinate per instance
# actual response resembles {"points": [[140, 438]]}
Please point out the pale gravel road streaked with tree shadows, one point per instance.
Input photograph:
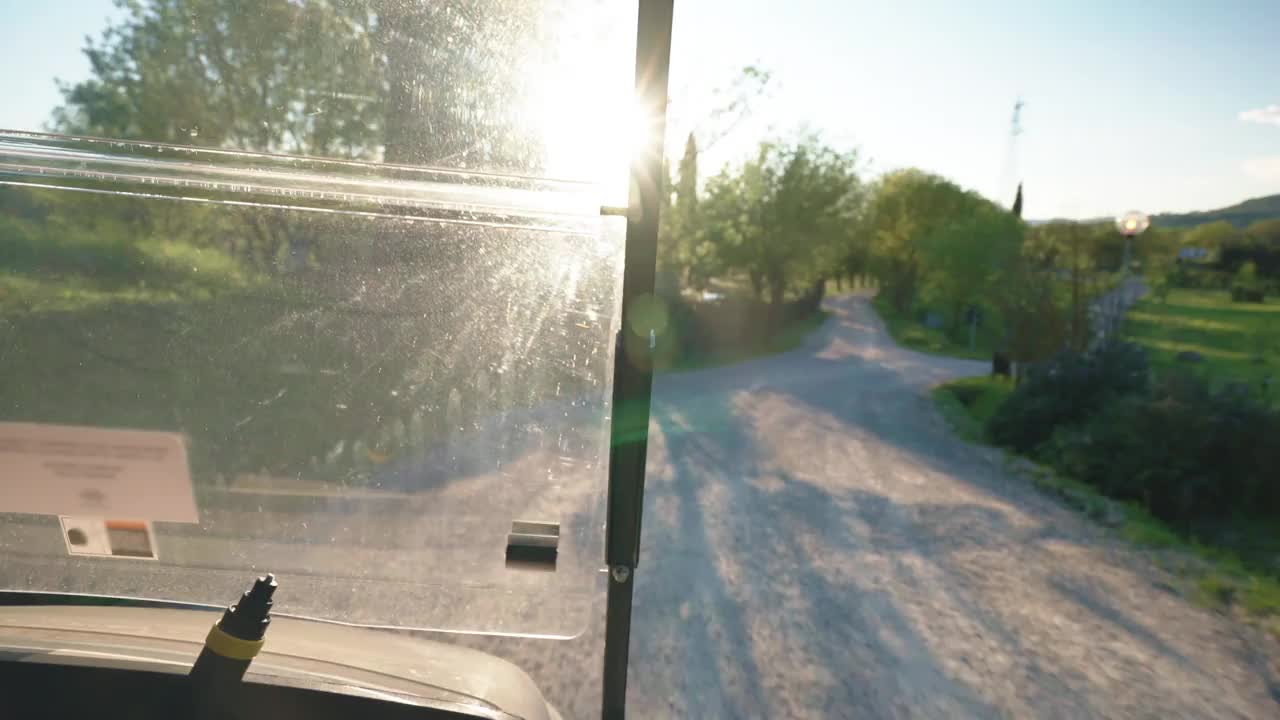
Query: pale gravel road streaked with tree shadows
{"points": [[817, 544]]}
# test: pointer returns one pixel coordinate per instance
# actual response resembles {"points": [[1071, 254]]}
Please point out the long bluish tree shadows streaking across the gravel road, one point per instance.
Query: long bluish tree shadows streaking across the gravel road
{"points": [[821, 580]]}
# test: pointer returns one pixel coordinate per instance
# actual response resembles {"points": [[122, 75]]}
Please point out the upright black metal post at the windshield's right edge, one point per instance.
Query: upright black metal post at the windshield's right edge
{"points": [[633, 361]]}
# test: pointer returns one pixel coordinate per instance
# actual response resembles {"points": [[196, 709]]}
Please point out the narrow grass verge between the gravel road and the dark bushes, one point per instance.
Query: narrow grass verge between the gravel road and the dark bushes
{"points": [[1238, 575]]}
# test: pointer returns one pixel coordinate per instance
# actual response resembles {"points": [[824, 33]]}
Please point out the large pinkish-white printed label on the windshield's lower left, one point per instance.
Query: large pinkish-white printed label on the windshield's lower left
{"points": [[95, 472]]}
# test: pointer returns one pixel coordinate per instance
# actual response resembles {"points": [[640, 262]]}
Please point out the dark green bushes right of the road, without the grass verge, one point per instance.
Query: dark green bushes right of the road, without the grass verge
{"points": [[1188, 452]]}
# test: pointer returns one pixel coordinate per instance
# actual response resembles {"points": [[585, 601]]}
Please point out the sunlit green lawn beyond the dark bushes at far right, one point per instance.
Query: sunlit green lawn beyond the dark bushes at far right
{"points": [[1238, 341]]}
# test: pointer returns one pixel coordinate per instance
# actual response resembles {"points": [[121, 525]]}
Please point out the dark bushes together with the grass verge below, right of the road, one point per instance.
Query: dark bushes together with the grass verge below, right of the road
{"points": [[1172, 459]]}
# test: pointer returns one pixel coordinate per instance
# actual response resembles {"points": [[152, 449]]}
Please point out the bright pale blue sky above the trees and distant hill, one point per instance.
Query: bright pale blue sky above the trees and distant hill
{"points": [[1155, 106]]}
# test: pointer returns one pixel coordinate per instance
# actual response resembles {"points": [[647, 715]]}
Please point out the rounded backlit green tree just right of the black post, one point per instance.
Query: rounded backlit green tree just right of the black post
{"points": [[783, 218]]}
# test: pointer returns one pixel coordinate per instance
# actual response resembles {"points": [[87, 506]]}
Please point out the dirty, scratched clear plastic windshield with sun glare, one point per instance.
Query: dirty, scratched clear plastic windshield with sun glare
{"points": [[317, 245]]}
